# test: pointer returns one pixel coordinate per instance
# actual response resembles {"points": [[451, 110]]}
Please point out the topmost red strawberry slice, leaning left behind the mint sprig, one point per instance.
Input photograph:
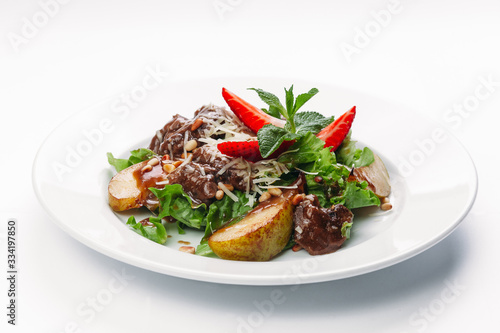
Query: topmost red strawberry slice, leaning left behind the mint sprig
{"points": [[250, 115]]}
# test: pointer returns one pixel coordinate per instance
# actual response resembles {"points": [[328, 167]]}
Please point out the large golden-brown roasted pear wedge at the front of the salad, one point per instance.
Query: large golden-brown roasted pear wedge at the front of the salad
{"points": [[261, 234]]}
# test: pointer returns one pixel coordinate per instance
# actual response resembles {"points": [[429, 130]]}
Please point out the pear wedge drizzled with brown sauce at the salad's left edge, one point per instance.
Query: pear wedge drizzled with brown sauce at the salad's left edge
{"points": [[128, 189]]}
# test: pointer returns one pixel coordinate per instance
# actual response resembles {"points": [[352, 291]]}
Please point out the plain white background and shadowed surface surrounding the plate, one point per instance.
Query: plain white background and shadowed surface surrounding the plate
{"points": [[429, 55]]}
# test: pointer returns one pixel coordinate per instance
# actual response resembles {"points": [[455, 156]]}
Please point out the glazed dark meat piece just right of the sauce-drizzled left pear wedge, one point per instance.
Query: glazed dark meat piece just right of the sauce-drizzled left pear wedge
{"points": [[197, 180]]}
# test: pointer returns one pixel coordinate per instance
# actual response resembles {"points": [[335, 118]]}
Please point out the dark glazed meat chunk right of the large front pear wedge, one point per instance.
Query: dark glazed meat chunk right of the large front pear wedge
{"points": [[317, 229]]}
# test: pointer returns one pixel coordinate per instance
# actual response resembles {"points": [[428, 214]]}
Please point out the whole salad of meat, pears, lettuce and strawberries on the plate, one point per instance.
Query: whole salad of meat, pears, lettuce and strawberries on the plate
{"points": [[254, 181]]}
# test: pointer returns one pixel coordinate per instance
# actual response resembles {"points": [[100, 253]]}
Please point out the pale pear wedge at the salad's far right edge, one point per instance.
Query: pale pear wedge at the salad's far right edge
{"points": [[376, 176]]}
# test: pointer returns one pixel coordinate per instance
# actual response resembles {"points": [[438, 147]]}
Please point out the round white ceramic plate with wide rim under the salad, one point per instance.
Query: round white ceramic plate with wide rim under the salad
{"points": [[434, 183]]}
